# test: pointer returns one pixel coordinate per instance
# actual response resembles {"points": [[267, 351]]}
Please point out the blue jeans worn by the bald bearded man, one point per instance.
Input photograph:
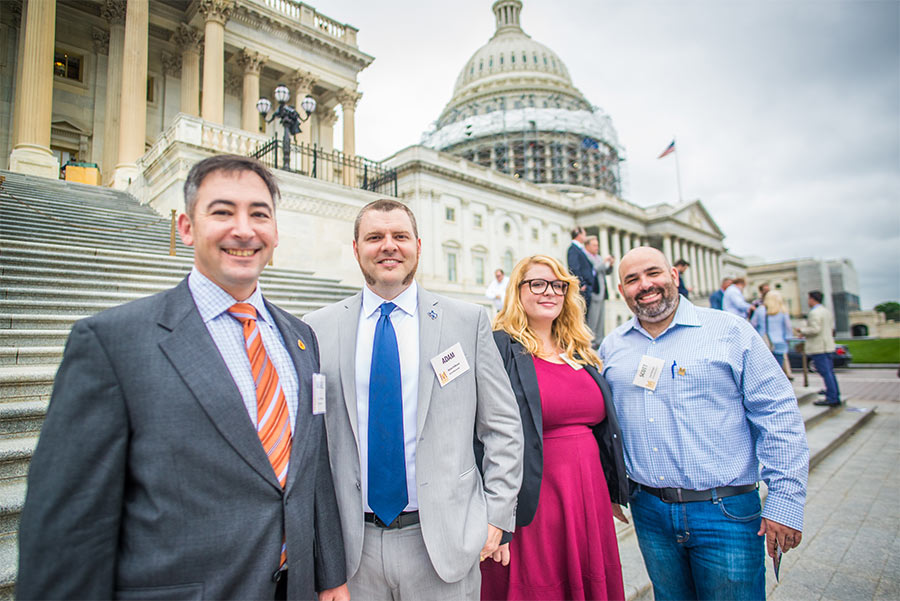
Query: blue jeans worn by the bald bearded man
{"points": [[704, 549]]}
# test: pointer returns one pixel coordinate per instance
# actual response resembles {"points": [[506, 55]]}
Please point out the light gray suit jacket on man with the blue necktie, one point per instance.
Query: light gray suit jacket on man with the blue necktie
{"points": [[455, 504]]}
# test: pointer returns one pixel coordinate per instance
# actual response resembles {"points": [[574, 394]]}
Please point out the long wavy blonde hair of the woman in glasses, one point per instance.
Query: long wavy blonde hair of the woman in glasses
{"points": [[569, 330]]}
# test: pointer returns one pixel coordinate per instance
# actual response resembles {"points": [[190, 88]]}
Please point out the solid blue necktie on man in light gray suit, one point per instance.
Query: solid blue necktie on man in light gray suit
{"points": [[387, 462]]}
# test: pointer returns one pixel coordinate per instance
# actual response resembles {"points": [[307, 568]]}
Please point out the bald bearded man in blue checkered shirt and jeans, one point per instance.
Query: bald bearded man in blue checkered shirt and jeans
{"points": [[706, 412]]}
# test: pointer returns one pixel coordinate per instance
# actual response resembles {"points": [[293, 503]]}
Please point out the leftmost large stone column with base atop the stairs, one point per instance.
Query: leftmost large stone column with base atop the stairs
{"points": [[34, 111]]}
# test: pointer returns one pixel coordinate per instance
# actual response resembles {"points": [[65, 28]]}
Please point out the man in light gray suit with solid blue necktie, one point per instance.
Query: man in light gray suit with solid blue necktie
{"points": [[410, 377]]}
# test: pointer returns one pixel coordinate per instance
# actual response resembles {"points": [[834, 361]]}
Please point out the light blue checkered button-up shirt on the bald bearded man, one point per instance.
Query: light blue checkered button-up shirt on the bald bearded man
{"points": [[723, 412]]}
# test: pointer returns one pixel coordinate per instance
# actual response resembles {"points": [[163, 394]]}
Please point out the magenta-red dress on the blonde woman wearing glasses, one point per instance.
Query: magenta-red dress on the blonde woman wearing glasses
{"points": [[569, 550]]}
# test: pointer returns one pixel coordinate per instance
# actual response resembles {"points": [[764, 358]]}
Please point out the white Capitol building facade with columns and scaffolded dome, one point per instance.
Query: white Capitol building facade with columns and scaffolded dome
{"points": [[515, 160]]}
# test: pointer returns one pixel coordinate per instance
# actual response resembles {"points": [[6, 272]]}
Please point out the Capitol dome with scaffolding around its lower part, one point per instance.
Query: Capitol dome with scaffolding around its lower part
{"points": [[515, 109]]}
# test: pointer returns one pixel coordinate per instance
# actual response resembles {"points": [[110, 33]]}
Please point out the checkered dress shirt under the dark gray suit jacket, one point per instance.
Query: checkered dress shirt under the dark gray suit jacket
{"points": [[228, 335]]}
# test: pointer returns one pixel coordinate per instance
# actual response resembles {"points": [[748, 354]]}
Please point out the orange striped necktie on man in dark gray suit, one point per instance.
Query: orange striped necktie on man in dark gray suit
{"points": [[273, 420]]}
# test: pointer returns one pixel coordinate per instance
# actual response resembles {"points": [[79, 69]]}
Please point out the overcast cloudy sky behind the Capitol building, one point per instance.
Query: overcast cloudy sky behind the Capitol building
{"points": [[786, 112]]}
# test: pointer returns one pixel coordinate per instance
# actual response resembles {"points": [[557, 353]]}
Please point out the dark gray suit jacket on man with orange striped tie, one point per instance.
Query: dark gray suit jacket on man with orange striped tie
{"points": [[149, 480]]}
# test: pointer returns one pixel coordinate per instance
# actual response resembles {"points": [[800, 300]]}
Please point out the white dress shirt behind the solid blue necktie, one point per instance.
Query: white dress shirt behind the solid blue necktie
{"points": [[405, 319]]}
